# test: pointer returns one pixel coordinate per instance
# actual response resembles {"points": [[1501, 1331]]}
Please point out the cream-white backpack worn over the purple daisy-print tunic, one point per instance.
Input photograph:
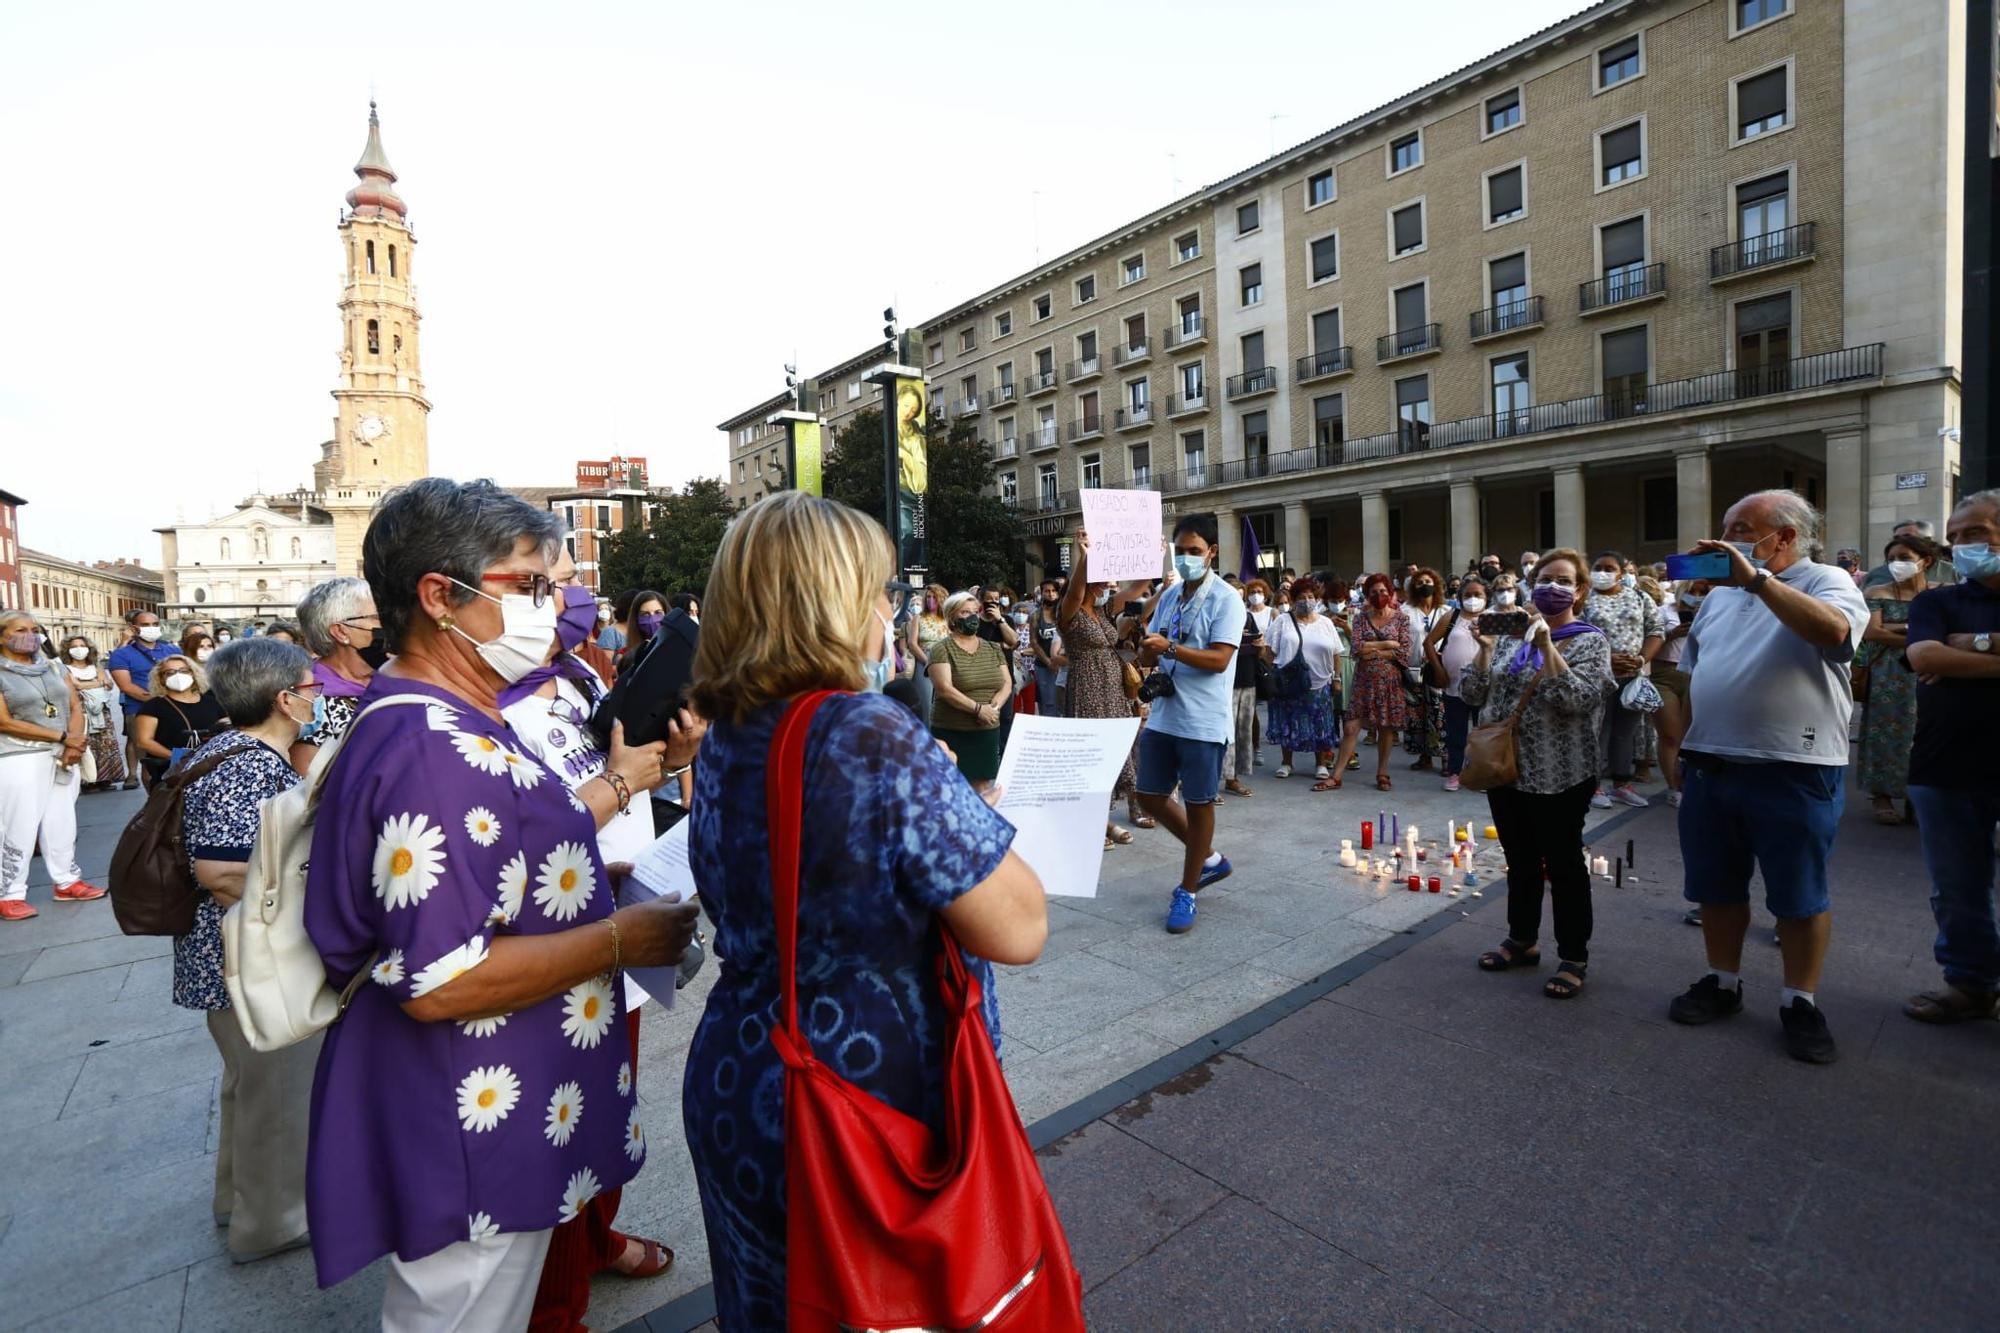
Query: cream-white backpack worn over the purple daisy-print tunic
{"points": [[269, 964]]}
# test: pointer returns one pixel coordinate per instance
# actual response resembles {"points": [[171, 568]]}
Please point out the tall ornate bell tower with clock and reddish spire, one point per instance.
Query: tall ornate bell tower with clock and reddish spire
{"points": [[379, 401]]}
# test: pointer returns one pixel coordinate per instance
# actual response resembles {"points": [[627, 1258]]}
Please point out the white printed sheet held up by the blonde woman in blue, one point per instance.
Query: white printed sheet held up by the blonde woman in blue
{"points": [[1057, 784]]}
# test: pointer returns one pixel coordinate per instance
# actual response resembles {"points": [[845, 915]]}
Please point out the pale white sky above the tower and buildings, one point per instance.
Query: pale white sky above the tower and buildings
{"points": [[627, 215]]}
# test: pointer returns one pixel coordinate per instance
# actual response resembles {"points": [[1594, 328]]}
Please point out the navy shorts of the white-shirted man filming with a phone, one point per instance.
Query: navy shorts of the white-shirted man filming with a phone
{"points": [[1777, 820]]}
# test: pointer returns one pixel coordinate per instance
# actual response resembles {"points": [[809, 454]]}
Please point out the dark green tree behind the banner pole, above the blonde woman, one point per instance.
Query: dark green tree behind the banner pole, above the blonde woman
{"points": [[975, 537]]}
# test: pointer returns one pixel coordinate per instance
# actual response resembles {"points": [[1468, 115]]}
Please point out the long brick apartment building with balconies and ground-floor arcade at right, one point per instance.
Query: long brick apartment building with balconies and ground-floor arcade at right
{"points": [[1587, 291]]}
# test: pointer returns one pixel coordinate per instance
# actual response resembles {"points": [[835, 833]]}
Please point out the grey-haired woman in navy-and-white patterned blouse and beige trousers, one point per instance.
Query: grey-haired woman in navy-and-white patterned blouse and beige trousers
{"points": [[269, 692]]}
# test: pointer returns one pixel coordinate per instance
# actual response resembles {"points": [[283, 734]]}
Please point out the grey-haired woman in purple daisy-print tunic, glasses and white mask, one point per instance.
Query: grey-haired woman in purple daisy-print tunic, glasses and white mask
{"points": [[475, 1094]]}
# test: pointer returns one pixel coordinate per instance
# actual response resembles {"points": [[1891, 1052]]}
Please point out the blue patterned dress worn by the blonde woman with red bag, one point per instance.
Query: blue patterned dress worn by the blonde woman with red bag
{"points": [[891, 836]]}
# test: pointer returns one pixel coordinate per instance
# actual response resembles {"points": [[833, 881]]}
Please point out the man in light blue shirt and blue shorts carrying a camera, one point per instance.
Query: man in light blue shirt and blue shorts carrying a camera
{"points": [[1189, 655]]}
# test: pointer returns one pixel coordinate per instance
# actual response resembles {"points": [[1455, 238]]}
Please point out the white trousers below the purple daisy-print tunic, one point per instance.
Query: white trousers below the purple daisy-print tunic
{"points": [[467, 1288]]}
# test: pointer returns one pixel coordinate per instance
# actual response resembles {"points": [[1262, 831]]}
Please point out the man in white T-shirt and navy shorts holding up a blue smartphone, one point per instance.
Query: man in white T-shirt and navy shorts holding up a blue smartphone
{"points": [[1765, 756]]}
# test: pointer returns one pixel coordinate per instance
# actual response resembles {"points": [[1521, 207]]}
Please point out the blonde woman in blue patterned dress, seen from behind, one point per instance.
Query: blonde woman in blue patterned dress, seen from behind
{"points": [[895, 842]]}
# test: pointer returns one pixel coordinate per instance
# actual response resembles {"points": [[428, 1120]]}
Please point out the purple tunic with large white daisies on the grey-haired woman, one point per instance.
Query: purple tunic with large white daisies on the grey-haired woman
{"points": [[437, 834]]}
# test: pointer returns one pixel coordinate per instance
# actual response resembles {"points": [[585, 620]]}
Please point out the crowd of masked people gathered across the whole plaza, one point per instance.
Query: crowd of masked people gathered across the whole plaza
{"points": [[473, 900]]}
